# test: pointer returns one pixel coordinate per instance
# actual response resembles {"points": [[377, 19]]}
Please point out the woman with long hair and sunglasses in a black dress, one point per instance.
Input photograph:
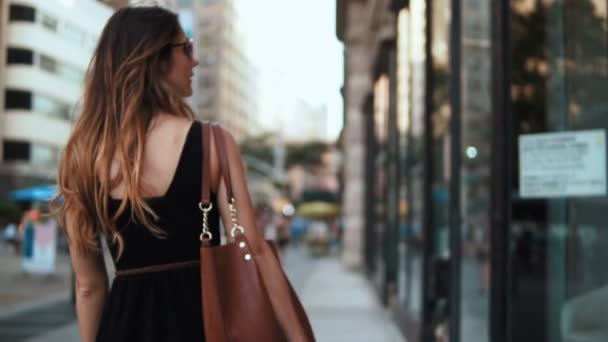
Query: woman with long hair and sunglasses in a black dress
{"points": [[132, 171]]}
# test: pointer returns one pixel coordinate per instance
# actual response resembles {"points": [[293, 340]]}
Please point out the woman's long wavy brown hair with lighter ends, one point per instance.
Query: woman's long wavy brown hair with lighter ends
{"points": [[124, 90]]}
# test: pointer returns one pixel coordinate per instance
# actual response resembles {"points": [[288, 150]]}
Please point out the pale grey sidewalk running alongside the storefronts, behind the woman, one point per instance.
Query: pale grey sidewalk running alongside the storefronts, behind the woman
{"points": [[341, 305]]}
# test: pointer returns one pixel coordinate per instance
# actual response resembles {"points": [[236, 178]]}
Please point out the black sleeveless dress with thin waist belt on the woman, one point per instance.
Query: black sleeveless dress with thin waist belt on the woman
{"points": [[162, 305]]}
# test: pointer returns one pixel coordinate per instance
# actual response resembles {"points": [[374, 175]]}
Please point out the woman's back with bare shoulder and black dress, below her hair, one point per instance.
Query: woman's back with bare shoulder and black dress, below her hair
{"points": [[158, 279]]}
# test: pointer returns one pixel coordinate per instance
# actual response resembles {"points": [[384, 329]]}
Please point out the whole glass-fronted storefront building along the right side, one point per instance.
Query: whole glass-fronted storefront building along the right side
{"points": [[475, 165]]}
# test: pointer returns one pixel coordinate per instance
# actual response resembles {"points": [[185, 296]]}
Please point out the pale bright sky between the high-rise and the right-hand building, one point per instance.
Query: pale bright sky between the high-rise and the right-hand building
{"points": [[293, 45]]}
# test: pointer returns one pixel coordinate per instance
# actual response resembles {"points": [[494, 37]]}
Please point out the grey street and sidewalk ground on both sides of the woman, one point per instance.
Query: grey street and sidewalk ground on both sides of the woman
{"points": [[341, 305]]}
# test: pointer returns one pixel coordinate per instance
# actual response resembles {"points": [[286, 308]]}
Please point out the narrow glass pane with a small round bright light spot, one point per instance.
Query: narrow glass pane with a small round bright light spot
{"points": [[476, 139]]}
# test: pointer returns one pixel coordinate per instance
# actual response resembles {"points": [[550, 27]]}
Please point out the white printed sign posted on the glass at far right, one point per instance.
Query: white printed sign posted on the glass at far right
{"points": [[568, 164]]}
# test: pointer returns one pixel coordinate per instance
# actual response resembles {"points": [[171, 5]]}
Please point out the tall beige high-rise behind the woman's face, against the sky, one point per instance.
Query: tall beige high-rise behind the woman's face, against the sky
{"points": [[225, 81]]}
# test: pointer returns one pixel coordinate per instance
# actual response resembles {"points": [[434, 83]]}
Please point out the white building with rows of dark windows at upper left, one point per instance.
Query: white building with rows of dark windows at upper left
{"points": [[46, 46]]}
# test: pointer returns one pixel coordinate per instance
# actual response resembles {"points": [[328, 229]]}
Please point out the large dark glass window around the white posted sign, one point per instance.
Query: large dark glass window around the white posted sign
{"points": [[558, 244]]}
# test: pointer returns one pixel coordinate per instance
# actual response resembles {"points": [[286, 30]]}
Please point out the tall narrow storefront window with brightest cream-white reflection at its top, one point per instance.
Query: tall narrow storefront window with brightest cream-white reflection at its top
{"points": [[411, 68]]}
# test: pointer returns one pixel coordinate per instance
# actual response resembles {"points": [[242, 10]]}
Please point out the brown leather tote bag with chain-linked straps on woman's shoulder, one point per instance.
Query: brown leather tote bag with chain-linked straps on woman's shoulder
{"points": [[245, 293]]}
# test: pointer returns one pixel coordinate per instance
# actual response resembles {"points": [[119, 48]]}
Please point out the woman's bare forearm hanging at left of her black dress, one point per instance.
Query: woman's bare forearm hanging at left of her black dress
{"points": [[91, 290]]}
